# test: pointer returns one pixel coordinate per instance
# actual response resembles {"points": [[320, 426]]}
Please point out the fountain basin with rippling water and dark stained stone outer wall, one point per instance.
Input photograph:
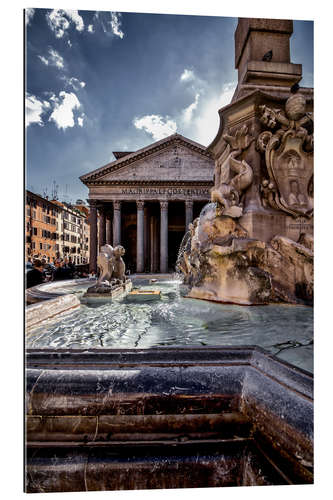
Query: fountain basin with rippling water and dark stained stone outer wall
{"points": [[141, 412]]}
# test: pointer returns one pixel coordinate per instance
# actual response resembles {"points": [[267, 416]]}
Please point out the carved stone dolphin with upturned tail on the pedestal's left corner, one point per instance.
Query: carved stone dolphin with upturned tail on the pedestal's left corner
{"points": [[232, 175]]}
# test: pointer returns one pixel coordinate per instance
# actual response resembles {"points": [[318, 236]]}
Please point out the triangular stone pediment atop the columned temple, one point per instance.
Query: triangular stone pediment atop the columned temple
{"points": [[171, 159]]}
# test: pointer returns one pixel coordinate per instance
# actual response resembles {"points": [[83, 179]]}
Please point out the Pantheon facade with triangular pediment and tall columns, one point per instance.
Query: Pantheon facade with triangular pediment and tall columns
{"points": [[146, 199]]}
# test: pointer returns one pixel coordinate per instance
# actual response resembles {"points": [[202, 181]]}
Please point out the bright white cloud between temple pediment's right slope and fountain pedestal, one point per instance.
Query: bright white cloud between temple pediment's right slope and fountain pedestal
{"points": [[206, 124]]}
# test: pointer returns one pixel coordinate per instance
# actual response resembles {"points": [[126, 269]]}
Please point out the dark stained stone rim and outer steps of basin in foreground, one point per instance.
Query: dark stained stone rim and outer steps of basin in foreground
{"points": [[190, 413]]}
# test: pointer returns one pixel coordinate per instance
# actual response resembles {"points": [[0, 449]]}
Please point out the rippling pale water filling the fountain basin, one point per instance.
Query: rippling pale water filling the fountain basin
{"points": [[283, 330]]}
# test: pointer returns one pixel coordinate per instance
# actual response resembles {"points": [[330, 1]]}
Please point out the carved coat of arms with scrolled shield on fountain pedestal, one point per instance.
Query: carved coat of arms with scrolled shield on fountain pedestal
{"points": [[289, 157]]}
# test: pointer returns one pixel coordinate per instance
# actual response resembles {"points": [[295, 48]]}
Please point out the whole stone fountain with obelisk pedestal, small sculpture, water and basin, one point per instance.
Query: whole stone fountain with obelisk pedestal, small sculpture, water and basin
{"points": [[124, 395]]}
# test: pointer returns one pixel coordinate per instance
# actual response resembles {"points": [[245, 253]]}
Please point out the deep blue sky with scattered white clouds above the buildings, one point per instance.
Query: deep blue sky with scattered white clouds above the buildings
{"points": [[98, 82]]}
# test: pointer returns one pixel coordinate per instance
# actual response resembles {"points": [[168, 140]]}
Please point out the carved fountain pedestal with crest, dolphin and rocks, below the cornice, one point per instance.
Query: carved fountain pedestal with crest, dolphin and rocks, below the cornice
{"points": [[257, 247]]}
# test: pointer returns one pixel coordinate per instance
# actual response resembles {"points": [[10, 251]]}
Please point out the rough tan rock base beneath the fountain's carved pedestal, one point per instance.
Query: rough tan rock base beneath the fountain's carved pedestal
{"points": [[222, 263]]}
